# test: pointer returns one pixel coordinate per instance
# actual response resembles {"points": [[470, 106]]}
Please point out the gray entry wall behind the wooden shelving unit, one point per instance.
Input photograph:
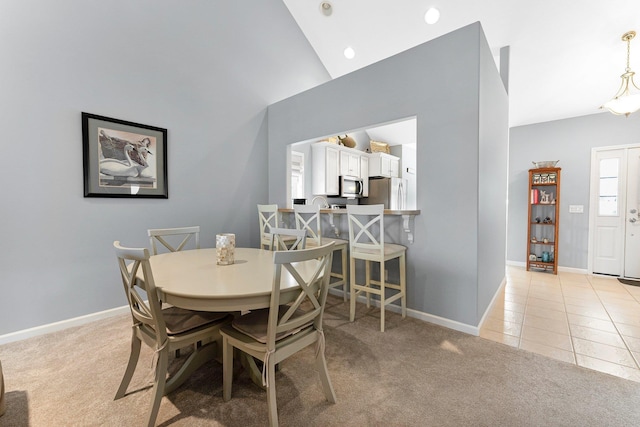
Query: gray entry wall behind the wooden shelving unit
{"points": [[569, 141]]}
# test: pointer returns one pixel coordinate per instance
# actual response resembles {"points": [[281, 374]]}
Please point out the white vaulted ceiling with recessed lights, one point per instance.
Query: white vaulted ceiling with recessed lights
{"points": [[566, 57]]}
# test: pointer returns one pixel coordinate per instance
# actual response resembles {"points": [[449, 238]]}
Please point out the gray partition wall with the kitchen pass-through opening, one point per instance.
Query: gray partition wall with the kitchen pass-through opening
{"points": [[440, 83]]}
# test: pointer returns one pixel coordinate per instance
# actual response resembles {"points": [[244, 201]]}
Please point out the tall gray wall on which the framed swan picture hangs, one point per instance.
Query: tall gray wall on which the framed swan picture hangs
{"points": [[204, 70]]}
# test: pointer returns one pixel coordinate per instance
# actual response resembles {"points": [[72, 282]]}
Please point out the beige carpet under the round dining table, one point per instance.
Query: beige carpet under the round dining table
{"points": [[414, 374]]}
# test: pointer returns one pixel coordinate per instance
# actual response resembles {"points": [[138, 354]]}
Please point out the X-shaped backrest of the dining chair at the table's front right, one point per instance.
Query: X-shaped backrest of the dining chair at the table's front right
{"points": [[313, 281]]}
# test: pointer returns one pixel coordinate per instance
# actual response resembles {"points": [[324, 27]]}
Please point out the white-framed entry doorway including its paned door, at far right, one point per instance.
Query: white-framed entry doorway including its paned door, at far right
{"points": [[614, 229]]}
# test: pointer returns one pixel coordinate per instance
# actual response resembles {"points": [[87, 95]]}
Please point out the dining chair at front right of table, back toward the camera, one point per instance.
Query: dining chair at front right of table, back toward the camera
{"points": [[274, 334]]}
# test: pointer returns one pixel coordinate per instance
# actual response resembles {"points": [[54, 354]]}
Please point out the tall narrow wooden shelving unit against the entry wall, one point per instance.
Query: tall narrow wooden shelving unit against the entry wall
{"points": [[543, 219]]}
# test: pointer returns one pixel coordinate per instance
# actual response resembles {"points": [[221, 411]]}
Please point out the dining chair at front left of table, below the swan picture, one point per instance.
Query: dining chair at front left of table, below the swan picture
{"points": [[164, 330]]}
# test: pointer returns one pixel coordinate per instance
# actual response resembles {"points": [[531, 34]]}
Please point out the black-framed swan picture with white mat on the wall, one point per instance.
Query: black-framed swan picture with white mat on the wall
{"points": [[123, 159]]}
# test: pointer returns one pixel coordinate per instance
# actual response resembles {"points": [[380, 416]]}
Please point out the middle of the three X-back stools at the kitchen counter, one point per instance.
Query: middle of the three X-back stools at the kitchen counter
{"points": [[308, 219]]}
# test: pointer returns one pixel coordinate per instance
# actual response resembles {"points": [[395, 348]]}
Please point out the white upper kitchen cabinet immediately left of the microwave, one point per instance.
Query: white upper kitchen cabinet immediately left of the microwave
{"points": [[325, 164]]}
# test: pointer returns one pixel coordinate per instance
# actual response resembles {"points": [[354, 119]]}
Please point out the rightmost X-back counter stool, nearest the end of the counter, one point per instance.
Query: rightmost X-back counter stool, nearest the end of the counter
{"points": [[366, 242]]}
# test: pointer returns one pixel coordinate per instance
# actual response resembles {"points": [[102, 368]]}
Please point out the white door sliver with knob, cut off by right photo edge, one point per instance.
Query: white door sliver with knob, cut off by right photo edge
{"points": [[632, 216]]}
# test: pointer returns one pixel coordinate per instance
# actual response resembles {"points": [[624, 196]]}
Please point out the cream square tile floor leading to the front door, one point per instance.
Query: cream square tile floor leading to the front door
{"points": [[590, 321]]}
